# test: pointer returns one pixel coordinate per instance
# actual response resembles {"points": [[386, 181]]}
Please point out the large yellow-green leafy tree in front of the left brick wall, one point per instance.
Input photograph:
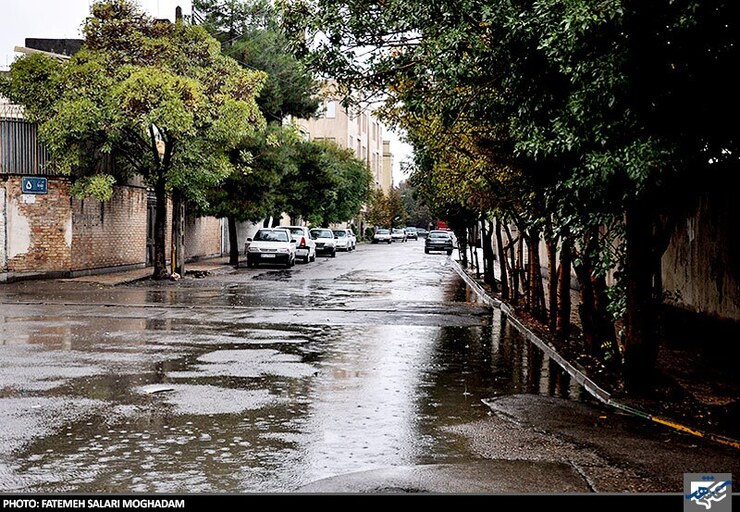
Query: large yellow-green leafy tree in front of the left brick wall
{"points": [[158, 99]]}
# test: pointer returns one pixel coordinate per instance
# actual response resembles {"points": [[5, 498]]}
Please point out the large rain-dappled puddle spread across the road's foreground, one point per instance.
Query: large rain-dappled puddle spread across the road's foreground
{"points": [[261, 409]]}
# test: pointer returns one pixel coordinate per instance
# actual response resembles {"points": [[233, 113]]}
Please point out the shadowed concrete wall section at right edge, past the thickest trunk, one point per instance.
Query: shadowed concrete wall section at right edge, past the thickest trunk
{"points": [[701, 268]]}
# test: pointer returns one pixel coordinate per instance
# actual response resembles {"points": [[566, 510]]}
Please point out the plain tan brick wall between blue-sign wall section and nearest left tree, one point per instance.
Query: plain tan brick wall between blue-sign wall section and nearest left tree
{"points": [[112, 233]]}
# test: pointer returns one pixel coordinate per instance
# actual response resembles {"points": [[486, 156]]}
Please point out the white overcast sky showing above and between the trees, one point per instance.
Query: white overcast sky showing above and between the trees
{"points": [[62, 19]]}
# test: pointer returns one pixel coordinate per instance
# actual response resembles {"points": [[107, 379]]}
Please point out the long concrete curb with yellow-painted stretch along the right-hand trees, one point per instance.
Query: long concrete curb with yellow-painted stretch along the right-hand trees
{"points": [[578, 375]]}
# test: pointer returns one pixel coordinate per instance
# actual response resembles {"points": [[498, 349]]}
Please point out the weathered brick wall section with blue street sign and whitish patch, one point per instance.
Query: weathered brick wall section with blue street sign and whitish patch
{"points": [[38, 228]]}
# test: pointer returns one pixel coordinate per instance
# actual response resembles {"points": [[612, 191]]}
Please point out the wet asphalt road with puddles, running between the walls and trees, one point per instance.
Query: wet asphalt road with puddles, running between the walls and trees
{"points": [[375, 371]]}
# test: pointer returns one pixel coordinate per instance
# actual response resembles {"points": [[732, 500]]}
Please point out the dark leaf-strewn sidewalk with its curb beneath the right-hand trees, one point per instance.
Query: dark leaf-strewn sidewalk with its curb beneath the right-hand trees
{"points": [[697, 390]]}
